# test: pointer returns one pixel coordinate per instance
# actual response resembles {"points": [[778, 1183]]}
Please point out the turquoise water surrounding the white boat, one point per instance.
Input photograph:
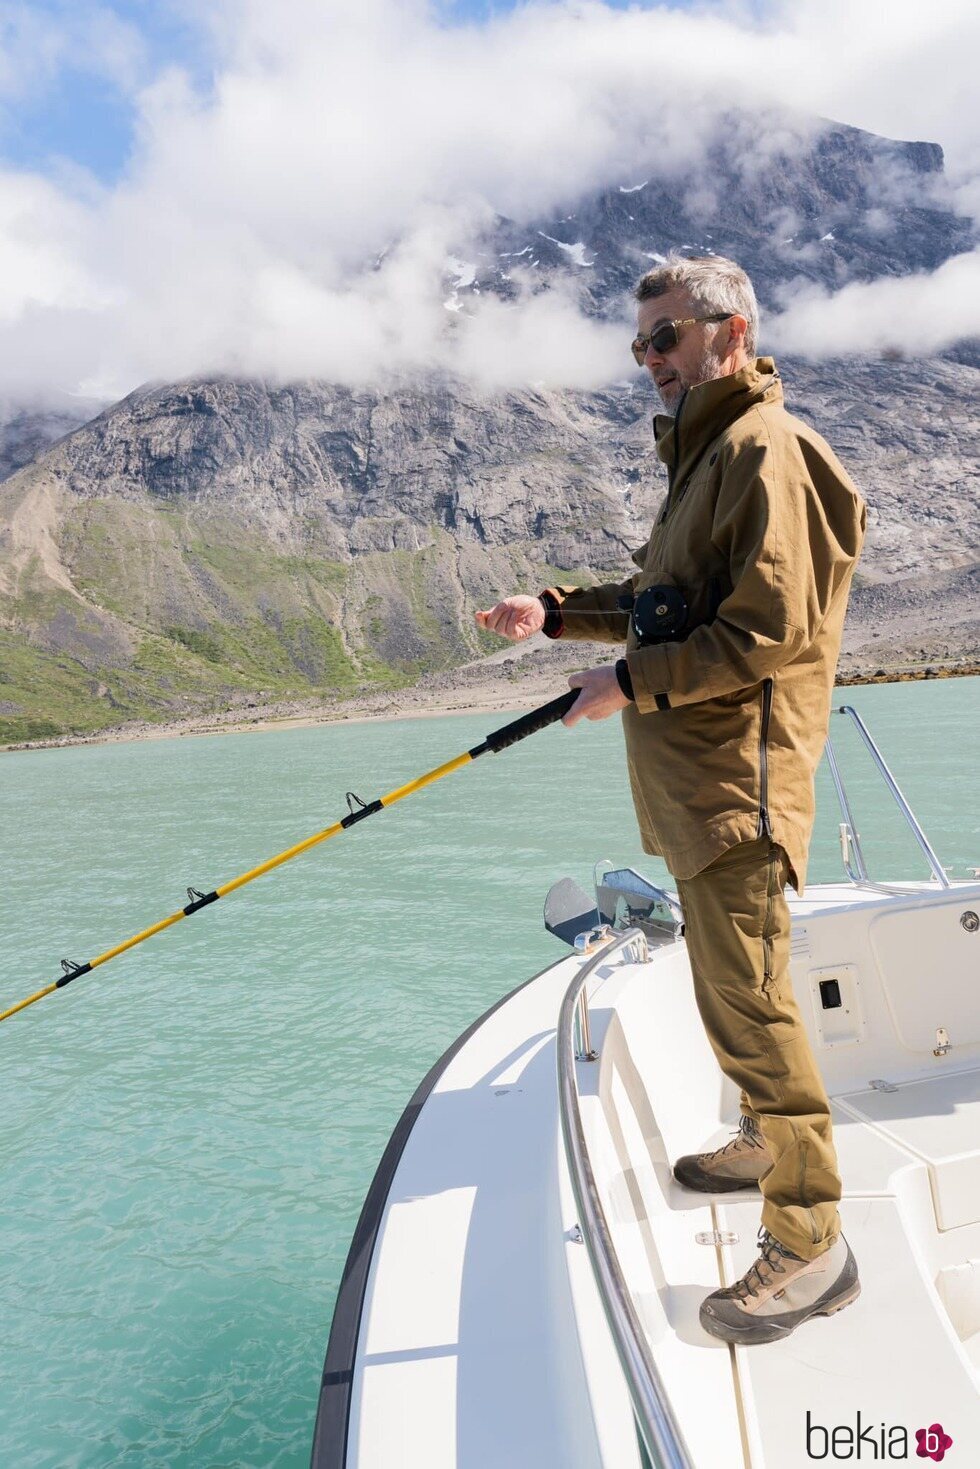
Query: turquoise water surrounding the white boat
{"points": [[189, 1133]]}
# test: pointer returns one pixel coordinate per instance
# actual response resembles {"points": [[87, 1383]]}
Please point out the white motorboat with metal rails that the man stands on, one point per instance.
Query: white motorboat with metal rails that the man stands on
{"points": [[525, 1279]]}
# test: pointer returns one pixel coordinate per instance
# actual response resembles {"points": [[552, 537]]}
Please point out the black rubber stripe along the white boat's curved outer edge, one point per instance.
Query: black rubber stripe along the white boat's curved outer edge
{"points": [[333, 1415]]}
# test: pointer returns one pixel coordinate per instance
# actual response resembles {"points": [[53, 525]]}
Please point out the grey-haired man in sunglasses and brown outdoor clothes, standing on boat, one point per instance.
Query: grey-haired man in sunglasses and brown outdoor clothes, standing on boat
{"points": [[725, 693]]}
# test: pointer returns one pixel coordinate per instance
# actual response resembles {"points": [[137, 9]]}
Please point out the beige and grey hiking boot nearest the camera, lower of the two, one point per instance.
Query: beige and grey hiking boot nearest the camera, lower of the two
{"points": [[779, 1292]]}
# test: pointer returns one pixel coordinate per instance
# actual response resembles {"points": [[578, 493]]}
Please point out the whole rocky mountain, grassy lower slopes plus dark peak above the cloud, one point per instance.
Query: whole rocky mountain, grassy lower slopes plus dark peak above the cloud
{"points": [[208, 540]]}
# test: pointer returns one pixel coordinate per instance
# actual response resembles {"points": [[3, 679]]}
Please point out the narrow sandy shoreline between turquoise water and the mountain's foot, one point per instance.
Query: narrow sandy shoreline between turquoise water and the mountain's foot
{"points": [[487, 697]]}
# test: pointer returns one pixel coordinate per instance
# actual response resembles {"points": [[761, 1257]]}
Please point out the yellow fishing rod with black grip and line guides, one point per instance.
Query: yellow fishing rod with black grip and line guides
{"points": [[358, 810]]}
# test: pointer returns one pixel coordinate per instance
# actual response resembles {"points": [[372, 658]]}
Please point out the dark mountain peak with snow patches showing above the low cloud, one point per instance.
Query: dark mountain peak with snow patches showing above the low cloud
{"points": [[788, 201]]}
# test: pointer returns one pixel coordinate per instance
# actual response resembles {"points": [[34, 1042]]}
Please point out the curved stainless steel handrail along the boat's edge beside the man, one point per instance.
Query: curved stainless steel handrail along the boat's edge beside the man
{"points": [[656, 1421]]}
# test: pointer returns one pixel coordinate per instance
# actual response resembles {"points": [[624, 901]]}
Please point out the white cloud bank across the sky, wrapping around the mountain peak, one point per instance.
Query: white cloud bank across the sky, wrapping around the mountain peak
{"points": [[296, 217]]}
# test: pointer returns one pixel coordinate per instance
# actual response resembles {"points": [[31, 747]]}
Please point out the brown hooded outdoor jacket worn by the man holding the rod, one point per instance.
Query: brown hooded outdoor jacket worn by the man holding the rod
{"points": [[760, 531]]}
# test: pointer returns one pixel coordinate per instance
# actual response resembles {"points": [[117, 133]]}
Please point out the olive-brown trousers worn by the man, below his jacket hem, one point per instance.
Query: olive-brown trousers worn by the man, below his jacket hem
{"points": [[738, 938]]}
